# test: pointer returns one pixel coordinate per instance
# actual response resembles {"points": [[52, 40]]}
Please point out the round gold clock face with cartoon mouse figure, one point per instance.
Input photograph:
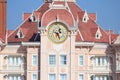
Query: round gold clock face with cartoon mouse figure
{"points": [[57, 32]]}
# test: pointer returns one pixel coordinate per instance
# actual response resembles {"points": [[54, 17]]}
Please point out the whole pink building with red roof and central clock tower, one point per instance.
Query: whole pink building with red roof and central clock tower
{"points": [[59, 41]]}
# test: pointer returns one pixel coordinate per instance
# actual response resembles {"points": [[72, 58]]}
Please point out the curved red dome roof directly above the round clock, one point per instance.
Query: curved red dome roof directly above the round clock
{"points": [[62, 14]]}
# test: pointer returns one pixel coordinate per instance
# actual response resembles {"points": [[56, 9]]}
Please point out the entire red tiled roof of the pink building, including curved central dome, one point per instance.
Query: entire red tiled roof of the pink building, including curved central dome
{"points": [[47, 15]]}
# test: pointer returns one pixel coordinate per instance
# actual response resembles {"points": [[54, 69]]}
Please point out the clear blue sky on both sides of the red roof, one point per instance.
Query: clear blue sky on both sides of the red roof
{"points": [[108, 12]]}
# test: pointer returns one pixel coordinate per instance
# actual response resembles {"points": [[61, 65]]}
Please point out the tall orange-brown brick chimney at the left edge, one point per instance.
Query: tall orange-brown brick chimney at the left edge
{"points": [[3, 17]]}
